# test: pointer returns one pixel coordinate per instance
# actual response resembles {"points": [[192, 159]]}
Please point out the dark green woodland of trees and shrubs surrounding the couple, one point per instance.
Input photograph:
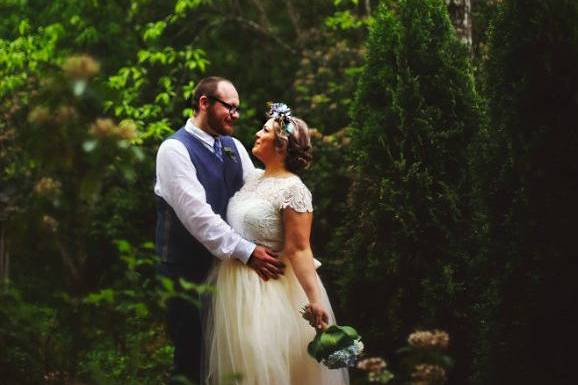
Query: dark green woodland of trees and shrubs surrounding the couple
{"points": [[444, 178]]}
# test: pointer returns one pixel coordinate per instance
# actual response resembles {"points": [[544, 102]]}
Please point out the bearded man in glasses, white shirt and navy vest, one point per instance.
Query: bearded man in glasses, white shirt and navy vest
{"points": [[198, 169]]}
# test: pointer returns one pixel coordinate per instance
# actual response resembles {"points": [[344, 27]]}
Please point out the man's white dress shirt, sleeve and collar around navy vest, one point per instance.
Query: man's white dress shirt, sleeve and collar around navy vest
{"points": [[178, 185]]}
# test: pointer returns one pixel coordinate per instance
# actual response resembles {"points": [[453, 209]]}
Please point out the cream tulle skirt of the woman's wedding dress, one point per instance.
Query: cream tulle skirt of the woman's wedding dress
{"points": [[255, 334]]}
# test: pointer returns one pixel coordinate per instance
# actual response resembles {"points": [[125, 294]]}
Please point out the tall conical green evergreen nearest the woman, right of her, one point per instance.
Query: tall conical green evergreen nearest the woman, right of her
{"points": [[406, 237]]}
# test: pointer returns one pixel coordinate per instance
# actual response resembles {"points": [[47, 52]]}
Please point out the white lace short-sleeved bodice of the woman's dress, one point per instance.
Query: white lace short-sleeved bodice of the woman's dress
{"points": [[255, 211]]}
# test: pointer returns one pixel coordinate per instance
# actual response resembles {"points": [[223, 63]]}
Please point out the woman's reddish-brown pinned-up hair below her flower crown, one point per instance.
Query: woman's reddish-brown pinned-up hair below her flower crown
{"points": [[298, 141]]}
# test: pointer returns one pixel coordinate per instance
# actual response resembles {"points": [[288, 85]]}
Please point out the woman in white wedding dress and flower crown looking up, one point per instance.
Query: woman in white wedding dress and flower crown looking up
{"points": [[254, 328]]}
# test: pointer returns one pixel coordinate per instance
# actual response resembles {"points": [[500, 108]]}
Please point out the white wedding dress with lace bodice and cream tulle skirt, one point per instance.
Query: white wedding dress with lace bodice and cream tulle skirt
{"points": [[254, 328]]}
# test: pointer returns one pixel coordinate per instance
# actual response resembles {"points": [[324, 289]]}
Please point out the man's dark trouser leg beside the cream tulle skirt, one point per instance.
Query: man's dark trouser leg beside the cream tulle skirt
{"points": [[185, 331]]}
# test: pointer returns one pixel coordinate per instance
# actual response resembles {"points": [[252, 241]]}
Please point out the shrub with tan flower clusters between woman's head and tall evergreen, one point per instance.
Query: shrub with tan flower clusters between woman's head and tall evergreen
{"points": [[324, 86]]}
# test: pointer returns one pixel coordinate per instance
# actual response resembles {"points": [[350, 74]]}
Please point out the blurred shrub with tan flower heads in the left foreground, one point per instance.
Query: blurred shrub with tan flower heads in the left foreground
{"points": [[72, 156]]}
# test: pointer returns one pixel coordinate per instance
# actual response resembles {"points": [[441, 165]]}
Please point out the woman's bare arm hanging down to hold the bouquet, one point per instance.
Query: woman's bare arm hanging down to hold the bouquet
{"points": [[297, 249]]}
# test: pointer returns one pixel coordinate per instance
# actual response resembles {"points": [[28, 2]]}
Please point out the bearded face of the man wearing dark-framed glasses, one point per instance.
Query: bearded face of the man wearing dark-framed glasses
{"points": [[219, 119]]}
